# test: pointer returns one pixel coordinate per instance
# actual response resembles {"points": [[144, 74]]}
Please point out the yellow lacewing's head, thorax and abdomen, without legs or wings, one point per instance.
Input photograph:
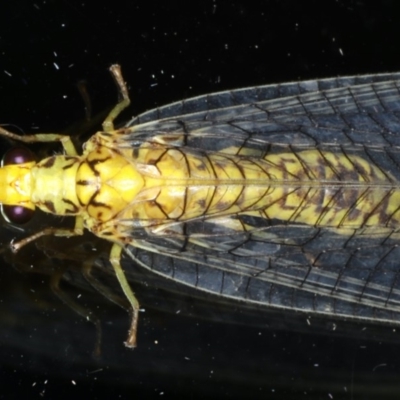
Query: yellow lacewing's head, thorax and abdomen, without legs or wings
{"points": [[162, 184]]}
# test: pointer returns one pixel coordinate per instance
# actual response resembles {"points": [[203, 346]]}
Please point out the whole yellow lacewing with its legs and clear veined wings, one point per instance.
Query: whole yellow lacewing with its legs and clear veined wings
{"points": [[283, 195]]}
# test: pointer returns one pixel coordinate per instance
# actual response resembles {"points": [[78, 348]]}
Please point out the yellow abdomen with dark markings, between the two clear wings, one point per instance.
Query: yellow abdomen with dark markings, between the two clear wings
{"points": [[309, 187]]}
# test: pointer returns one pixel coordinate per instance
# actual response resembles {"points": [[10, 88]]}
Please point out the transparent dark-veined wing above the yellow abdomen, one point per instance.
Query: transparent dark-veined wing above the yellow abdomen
{"points": [[344, 111]]}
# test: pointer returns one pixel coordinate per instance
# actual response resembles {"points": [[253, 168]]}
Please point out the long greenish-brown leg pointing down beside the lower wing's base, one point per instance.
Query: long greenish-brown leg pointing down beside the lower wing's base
{"points": [[115, 260]]}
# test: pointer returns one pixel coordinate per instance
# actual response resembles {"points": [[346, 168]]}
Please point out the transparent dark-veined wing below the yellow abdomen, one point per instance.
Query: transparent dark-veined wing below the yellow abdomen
{"points": [[293, 267]]}
